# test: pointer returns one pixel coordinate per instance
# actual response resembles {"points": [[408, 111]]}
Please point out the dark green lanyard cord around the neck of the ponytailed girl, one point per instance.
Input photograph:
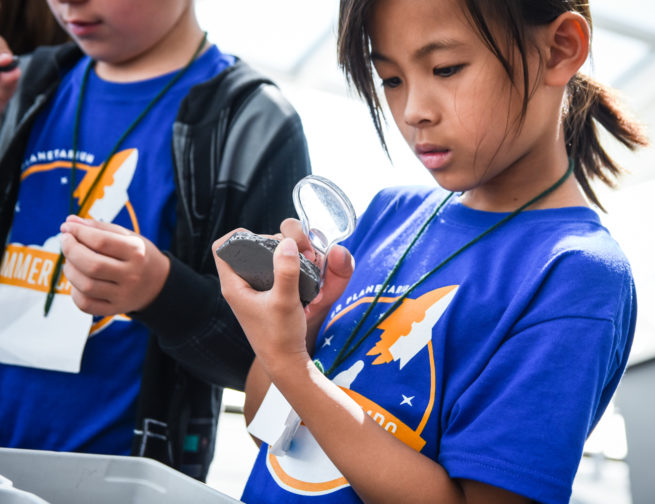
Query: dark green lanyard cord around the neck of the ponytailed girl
{"points": [[349, 348]]}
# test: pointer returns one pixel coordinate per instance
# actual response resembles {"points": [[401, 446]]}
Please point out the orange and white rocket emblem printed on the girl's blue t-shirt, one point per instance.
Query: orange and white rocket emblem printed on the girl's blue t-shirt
{"points": [[305, 469]]}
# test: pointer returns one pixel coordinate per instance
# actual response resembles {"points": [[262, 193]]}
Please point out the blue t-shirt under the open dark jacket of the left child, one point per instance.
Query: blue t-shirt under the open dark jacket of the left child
{"points": [[94, 410]]}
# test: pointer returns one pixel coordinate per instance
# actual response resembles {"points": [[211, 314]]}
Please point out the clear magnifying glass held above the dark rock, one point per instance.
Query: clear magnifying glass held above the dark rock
{"points": [[326, 214]]}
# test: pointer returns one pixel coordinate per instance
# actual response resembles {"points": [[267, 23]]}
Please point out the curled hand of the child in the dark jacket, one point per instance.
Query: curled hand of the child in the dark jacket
{"points": [[111, 269]]}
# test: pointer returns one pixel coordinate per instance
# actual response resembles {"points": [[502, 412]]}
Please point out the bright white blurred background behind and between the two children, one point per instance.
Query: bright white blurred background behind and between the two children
{"points": [[293, 42]]}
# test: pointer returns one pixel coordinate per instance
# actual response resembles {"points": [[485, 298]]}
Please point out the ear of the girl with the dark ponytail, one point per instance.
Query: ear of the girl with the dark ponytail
{"points": [[568, 41]]}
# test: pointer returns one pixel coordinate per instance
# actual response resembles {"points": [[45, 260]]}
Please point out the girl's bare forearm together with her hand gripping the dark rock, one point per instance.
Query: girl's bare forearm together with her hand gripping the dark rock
{"points": [[379, 467]]}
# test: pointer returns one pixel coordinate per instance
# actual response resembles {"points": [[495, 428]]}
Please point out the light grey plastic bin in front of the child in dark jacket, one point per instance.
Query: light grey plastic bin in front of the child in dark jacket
{"points": [[44, 477]]}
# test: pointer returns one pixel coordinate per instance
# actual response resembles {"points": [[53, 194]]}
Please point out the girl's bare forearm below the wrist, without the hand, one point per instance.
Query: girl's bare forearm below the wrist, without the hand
{"points": [[354, 442]]}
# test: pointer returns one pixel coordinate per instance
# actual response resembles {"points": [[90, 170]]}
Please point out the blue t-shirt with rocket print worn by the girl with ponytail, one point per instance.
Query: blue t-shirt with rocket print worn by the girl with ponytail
{"points": [[497, 366]]}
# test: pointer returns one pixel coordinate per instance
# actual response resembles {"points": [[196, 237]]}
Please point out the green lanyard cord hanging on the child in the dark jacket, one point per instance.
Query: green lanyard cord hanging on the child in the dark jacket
{"points": [[76, 128]]}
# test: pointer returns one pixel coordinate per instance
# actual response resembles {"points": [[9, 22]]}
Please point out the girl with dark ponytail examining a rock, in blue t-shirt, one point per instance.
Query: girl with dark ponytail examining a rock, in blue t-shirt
{"points": [[483, 331]]}
